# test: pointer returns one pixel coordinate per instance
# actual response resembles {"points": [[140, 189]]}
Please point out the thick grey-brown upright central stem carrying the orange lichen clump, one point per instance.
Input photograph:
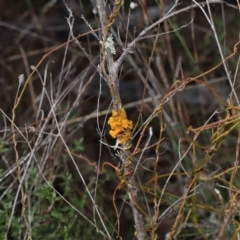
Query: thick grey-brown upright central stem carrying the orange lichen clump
{"points": [[113, 82]]}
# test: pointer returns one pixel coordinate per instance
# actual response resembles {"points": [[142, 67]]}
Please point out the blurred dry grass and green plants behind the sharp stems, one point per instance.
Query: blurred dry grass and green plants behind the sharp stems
{"points": [[29, 30]]}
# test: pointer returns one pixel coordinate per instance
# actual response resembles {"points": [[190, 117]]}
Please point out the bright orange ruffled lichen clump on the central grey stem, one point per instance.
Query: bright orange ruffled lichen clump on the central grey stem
{"points": [[121, 127]]}
